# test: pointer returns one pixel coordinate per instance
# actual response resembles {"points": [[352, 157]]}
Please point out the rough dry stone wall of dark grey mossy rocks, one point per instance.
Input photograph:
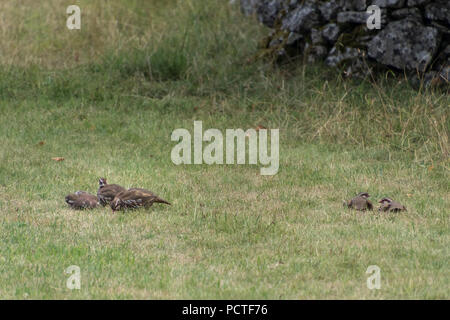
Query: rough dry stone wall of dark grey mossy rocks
{"points": [[413, 35]]}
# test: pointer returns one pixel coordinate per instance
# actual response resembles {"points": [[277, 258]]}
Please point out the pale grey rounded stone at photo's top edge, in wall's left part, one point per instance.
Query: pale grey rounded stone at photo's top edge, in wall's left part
{"points": [[302, 19]]}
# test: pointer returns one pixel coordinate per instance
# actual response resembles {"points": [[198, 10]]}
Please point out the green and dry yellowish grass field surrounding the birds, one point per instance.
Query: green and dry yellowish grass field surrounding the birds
{"points": [[107, 98]]}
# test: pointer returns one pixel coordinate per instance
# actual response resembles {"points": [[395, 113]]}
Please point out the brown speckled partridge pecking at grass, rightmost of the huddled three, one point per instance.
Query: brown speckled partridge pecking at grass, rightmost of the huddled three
{"points": [[135, 198]]}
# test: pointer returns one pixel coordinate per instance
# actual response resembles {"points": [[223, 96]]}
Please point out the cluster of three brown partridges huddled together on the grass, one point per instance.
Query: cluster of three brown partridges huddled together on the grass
{"points": [[117, 197]]}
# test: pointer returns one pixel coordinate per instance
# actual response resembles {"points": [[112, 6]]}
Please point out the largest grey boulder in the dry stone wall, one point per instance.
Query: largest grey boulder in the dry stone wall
{"points": [[405, 44]]}
